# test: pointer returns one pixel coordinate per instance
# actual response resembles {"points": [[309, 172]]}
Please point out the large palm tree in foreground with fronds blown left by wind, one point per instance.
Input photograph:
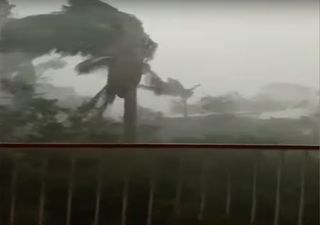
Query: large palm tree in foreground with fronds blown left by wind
{"points": [[106, 36]]}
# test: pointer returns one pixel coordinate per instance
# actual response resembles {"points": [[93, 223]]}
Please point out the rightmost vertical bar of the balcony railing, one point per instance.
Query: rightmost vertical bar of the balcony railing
{"points": [[302, 188]]}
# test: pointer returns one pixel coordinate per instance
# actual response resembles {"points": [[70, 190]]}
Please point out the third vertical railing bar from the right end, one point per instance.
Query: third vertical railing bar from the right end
{"points": [[254, 189]]}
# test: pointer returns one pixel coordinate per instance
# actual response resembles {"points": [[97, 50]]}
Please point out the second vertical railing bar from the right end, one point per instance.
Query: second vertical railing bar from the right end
{"points": [[278, 189]]}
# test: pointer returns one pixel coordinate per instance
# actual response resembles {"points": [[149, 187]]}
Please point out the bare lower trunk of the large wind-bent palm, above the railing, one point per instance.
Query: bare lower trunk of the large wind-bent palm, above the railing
{"points": [[130, 116]]}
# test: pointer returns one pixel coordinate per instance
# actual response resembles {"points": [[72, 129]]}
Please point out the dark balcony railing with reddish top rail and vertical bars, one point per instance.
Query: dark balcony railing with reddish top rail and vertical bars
{"points": [[101, 184]]}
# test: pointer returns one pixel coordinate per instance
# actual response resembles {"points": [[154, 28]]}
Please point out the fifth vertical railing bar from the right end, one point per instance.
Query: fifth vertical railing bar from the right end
{"points": [[203, 191]]}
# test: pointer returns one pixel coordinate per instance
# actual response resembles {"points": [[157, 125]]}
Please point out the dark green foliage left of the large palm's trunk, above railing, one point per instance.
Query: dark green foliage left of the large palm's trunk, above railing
{"points": [[42, 120]]}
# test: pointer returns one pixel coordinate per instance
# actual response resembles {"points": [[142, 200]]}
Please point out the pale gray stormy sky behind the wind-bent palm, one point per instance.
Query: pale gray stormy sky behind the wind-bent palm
{"points": [[224, 47]]}
